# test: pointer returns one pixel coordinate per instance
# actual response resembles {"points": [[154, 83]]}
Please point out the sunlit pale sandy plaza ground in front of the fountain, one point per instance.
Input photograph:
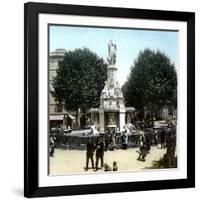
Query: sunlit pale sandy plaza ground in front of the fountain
{"points": [[73, 161]]}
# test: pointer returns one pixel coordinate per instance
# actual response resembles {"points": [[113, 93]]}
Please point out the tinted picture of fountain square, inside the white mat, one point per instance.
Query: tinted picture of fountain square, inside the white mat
{"points": [[112, 99]]}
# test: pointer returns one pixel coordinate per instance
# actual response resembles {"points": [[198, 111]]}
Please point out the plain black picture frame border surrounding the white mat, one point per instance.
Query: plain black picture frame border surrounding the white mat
{"points": [[31, 185]]}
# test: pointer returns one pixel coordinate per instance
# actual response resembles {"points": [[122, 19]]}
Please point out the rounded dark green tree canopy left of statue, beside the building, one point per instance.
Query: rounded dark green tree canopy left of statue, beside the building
{"points": [[80, 79]]}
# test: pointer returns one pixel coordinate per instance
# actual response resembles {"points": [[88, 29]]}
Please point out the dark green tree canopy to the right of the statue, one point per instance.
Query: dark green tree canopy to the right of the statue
{"points": [[152, 81]]}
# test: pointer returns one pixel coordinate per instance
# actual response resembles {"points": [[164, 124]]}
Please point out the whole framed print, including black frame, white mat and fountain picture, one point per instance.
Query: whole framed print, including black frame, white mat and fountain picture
{"points": [[109, 99]]}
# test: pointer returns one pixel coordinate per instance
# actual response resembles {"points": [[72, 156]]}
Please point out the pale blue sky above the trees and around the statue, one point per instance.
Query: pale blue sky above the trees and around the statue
{"points": [[129, 43]]}
